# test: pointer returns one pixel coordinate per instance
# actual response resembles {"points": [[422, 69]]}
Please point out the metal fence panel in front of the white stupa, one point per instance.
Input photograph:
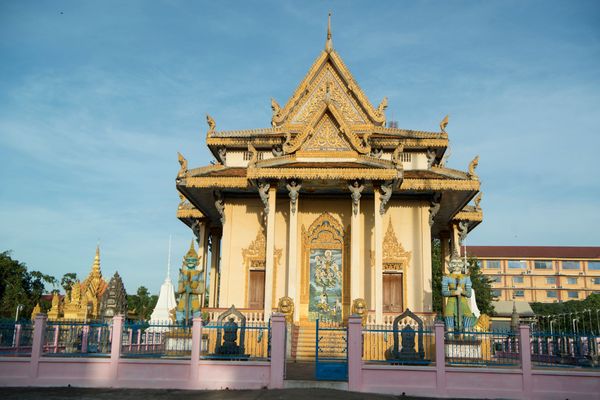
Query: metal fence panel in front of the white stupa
{"points": [[156, 340]]}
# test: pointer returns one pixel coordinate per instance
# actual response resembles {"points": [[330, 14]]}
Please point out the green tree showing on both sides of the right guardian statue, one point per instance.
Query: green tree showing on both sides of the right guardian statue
{"points": [[481, 283]]}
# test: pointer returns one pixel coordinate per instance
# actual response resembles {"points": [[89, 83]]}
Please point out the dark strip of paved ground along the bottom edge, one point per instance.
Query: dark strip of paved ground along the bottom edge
{"points": [[135, 394]]}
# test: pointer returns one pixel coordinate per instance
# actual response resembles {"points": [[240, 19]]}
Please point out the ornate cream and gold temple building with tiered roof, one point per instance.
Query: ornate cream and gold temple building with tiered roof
{"points": [[328, 205]]}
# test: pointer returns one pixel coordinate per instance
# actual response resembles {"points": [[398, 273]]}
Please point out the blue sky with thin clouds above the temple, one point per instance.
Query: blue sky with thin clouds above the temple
{"points": [[97, 97]]}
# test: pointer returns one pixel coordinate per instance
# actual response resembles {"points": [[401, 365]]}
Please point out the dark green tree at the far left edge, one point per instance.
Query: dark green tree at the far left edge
{"points": [[20, 287]]}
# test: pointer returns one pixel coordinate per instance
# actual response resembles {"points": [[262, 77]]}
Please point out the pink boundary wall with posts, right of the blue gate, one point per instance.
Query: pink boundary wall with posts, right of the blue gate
{"points": [[441, 381]]}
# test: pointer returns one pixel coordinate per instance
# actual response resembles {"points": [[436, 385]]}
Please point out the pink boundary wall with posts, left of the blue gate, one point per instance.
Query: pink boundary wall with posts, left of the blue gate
{"points": [[147, 373]]}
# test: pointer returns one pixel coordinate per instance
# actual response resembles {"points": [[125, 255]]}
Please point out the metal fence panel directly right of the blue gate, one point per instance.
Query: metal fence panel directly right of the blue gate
{"points": [[418, 347]]}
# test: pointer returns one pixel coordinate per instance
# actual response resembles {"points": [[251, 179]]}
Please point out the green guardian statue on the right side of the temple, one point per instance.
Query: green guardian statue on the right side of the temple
{"points": [[456, 286]]}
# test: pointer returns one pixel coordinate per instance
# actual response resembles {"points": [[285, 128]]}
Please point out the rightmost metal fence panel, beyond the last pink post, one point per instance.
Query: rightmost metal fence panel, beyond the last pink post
{"points": [[550, 350]]}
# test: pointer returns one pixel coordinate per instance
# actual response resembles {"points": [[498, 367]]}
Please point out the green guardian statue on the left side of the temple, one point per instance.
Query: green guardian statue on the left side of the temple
{"points": [[189, 287]]}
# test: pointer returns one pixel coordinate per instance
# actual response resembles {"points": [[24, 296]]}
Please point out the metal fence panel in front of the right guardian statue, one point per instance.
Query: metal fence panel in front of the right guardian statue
{"points": [[489, 349]]}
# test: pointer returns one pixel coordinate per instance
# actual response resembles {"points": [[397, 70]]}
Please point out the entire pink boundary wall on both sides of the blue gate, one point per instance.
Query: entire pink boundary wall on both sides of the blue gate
{"points": [[435, 381]]}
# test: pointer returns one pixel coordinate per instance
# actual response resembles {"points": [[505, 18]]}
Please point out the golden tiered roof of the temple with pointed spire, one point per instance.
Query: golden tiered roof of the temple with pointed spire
{"points": [[326, 134]]}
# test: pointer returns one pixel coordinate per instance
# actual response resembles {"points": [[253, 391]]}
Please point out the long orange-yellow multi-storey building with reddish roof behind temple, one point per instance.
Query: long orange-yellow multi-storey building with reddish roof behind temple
{"points": [[540, 273]]}
